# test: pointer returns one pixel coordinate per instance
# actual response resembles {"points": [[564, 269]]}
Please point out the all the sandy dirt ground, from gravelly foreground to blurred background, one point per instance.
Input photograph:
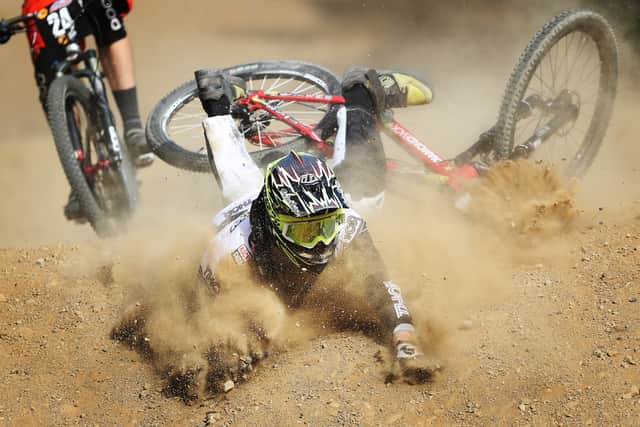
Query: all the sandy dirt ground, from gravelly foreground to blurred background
{"points": [[533, 328]]}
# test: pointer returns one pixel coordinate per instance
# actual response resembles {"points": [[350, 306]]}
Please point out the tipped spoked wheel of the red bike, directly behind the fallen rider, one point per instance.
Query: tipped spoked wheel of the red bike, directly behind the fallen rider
{"points": [[174, 128]]}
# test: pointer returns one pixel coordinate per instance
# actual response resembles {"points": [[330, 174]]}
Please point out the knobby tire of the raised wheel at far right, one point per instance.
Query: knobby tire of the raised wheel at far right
{"points": [[600, 32]]}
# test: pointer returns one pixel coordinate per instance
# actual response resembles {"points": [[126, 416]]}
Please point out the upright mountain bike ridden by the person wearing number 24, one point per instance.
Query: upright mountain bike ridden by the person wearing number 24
{"points": [[96, 162]]}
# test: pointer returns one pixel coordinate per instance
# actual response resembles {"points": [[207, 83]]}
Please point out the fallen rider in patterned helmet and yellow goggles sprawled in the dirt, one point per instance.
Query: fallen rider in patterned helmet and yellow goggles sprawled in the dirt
{"points": [[295, 226]]}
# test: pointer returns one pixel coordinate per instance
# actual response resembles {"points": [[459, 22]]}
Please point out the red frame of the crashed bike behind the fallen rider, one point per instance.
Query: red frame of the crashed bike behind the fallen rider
{"points": [[255, 100]]}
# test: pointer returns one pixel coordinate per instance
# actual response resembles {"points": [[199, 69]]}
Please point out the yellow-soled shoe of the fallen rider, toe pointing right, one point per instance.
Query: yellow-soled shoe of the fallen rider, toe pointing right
{"points": [[402, 90]]}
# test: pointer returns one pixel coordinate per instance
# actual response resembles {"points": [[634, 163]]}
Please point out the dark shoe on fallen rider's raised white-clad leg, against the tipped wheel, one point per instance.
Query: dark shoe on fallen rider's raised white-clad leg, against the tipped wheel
{"points": [[217, 90]]}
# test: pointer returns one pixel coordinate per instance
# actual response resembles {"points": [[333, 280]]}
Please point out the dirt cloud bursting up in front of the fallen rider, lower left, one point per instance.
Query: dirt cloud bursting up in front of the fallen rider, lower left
{"points": [[201, 341]]}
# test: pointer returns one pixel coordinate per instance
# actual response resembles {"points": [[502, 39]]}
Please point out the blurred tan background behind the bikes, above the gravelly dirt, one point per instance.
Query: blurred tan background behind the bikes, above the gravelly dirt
{"points": [[465, 48]]}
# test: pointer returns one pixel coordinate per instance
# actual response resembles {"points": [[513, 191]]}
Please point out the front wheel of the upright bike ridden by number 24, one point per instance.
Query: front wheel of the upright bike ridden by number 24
{"points": [[106, 189]]}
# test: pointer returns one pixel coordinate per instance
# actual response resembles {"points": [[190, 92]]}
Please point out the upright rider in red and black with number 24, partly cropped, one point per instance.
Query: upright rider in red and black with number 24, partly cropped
{"points": [[59, 22]]}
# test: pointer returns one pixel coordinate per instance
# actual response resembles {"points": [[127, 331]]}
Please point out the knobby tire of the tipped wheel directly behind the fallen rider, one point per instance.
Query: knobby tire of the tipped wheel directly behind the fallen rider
{"points": [[169, 151]]}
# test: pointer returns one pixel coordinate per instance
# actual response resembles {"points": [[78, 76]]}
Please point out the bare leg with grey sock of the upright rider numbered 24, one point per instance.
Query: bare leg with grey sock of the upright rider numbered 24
{"points": [[116, 55]]}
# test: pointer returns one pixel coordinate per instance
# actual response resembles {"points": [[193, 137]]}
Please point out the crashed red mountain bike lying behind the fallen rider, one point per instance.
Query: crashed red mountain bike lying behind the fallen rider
{"points": [[556, 107]]}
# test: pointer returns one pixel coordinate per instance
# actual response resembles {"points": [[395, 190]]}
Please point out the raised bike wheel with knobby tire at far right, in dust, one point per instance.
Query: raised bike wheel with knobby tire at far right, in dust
{"points": [[573, 57]]}
